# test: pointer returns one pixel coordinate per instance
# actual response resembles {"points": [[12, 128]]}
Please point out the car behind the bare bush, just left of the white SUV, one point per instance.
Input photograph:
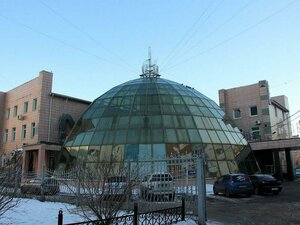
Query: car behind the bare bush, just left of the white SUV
{"points": [[116, 187]]}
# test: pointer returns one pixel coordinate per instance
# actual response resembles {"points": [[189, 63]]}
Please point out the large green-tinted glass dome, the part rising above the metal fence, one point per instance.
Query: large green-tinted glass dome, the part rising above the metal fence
{"points": [[153, 118]]}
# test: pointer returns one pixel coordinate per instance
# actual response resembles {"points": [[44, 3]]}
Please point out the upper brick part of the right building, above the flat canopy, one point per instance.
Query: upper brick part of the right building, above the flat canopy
{"points": [[257, 115]]}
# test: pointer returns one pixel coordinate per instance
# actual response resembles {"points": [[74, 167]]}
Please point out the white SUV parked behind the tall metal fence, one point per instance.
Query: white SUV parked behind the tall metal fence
{"points": [[158, 186]]}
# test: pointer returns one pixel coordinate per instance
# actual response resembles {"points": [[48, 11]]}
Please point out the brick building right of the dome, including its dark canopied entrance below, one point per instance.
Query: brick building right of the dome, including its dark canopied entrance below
{"points": [[265, 123]]}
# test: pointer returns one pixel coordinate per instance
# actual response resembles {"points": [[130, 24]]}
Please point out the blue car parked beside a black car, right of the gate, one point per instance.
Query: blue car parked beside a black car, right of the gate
{"points": [[233, 184]]}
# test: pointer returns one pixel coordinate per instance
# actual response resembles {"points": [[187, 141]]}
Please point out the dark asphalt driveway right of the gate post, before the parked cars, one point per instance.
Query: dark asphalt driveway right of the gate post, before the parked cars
{"points": [[282, 209]]}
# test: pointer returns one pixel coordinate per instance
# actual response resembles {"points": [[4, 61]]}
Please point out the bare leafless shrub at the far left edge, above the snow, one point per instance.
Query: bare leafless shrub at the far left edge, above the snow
{"points": [[10, 176]]}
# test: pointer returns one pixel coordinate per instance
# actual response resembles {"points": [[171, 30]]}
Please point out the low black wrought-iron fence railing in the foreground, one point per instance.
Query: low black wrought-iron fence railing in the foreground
{"points": [[161, 217]]}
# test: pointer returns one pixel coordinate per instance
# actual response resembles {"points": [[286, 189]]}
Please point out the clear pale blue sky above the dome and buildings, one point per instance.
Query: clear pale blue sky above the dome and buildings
{"points": [[92, 46]]}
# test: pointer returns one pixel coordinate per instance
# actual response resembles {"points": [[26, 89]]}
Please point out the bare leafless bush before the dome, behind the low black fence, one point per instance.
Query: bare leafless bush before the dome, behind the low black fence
{"points": [[102, 188]]}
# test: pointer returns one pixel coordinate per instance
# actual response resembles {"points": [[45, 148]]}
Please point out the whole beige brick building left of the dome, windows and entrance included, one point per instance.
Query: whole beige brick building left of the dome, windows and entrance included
{"points": [[36, 121]]}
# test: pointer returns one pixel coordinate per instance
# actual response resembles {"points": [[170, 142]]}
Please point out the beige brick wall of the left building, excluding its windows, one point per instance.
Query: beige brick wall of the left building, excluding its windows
{"points": [[46, 116]]}
